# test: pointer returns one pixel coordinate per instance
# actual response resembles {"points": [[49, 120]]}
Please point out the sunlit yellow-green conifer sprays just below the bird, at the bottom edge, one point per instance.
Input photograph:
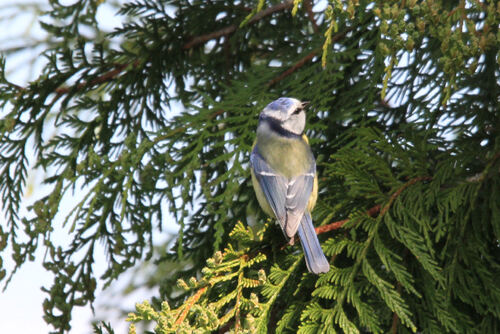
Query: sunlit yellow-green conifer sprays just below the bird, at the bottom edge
{"points": [[228, 276]]}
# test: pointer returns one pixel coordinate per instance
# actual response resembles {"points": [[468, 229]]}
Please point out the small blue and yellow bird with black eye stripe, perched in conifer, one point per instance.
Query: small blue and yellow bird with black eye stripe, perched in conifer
{"points": [[284, 176]]}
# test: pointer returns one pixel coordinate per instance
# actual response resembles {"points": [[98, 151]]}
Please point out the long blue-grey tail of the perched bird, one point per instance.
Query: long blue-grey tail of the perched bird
{"points": [[315, 259]]}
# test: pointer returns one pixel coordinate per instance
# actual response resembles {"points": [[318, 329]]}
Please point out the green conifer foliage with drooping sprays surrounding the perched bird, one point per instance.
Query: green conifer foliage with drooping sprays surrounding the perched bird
{"points": [[404, 124]]}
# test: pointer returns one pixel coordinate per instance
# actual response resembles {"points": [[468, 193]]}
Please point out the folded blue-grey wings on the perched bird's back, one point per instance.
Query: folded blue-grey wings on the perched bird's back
{"points": [[287, 198]]}
